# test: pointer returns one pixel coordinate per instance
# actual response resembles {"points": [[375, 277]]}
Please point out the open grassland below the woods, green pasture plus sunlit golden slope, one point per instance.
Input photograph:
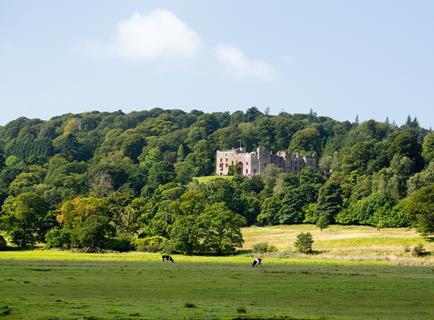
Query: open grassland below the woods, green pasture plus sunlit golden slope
{"points": [[50, 284]]}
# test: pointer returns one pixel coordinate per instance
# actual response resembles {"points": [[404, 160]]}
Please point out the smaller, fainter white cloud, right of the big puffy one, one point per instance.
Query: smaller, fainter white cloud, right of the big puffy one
{"points": [[236, 62]]}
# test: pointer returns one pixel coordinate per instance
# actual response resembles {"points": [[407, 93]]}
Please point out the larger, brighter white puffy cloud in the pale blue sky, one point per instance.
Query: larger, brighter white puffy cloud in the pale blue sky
{"points": [[157, 35]]}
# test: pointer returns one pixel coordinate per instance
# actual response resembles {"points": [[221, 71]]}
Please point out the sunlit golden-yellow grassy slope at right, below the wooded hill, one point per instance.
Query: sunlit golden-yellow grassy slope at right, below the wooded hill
{"points": [[345, 242]]}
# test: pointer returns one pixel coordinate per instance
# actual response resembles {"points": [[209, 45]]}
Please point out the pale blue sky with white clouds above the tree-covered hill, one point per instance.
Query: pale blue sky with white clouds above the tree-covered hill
{"points": [[370, 58]]}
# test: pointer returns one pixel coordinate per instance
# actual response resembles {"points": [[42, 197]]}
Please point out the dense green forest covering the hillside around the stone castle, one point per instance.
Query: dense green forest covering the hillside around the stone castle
{"points": [[126, 181]]}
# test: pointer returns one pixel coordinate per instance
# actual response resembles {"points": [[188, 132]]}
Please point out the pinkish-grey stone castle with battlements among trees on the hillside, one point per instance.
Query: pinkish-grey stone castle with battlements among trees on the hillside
{"points": [[254, 163]]}
